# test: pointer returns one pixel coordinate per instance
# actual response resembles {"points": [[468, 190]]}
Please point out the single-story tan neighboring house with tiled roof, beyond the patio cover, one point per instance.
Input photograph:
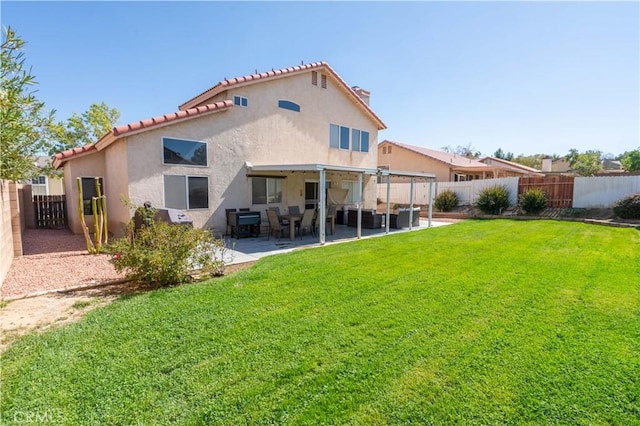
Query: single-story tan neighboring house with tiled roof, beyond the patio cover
{"points": [[446, 166]]}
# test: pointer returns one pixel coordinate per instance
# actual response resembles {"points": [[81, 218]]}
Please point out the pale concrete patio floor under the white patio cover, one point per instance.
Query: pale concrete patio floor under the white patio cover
{"points": [[251, 249]]}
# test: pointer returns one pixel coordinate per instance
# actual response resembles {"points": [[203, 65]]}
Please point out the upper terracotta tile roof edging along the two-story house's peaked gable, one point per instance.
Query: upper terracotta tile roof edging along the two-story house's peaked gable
{"points": [[275, 74]]}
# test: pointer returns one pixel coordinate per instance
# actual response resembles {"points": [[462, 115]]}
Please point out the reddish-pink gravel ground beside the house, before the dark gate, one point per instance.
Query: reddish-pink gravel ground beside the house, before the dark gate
{"points": [[54, 259]]}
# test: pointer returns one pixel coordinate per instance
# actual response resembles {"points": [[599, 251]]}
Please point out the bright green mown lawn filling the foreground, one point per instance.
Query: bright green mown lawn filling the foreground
{"points": [[482, 322]]}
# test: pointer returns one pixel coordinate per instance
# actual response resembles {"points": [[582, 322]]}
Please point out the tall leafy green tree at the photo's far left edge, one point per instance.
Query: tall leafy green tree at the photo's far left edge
{"points": [[24, 124]]}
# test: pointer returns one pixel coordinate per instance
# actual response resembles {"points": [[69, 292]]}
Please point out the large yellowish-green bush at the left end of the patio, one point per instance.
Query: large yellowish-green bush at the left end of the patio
{"points": [[165, 254]]}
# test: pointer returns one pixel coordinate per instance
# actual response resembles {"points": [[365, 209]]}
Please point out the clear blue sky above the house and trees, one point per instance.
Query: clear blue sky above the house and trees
{"points": [[527, 77]]}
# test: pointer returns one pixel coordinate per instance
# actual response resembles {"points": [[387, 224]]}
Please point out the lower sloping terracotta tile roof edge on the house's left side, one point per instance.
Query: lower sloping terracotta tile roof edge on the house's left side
{"points": [[139, 126]]}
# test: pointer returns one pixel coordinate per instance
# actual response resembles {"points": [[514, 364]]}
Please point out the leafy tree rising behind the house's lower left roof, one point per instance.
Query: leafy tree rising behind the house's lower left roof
{"points": [[84, 129]]}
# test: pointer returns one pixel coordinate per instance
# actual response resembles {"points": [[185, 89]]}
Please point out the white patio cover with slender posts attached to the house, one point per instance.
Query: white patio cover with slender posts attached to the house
{"points": [[322, 170]]}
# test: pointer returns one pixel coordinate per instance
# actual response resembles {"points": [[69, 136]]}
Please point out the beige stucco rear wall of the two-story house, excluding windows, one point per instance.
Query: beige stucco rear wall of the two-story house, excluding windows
{"points": [[262, 133]]}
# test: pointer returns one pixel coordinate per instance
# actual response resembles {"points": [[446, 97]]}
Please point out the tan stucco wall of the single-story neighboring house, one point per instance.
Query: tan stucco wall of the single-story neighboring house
{"points": [[403, 159]]}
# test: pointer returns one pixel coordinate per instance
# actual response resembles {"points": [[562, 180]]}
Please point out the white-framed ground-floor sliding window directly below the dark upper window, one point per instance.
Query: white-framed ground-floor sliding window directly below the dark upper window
{"points": [[186, 192]]}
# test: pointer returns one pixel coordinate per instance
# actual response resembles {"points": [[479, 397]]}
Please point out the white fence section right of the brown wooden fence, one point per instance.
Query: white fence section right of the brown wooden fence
{"points": [[603, 191]]}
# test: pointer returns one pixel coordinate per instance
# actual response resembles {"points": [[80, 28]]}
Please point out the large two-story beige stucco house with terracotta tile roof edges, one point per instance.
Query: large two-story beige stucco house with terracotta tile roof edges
{"points": [[250, 142]]}
